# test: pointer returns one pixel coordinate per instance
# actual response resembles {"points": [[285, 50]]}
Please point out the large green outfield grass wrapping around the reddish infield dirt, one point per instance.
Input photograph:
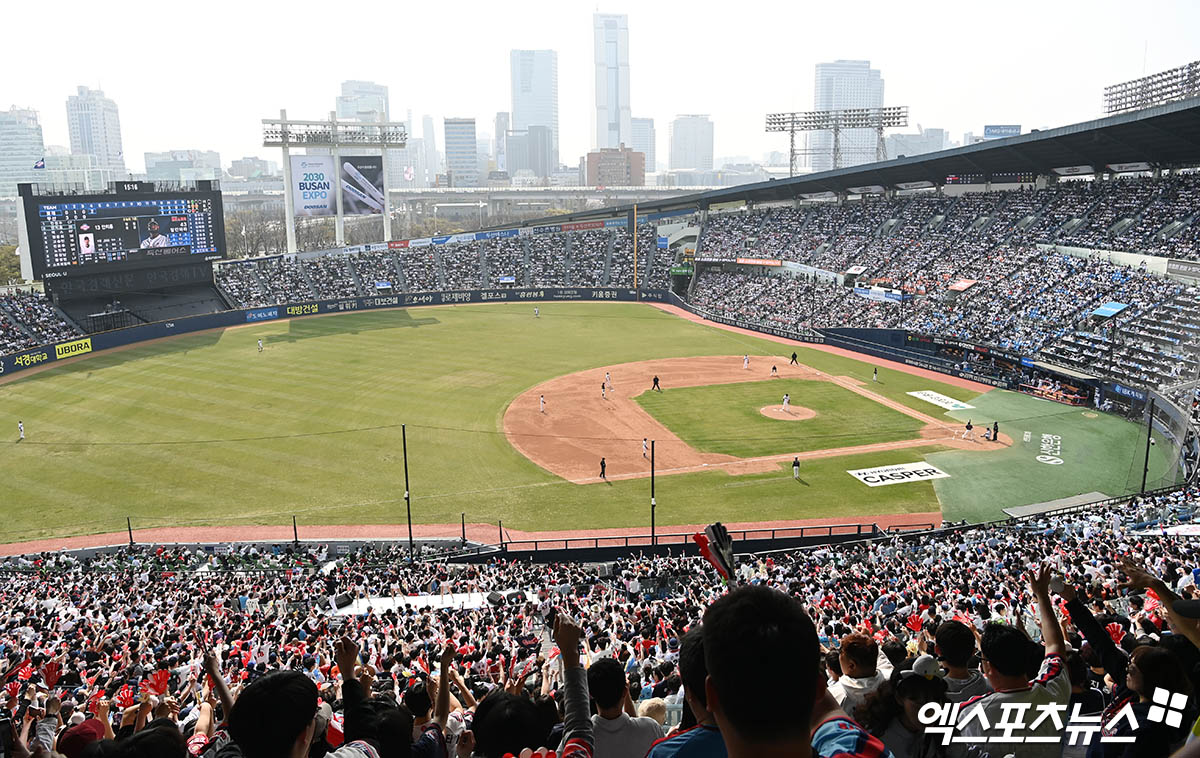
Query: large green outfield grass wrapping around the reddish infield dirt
{"points": [[203, 430]]}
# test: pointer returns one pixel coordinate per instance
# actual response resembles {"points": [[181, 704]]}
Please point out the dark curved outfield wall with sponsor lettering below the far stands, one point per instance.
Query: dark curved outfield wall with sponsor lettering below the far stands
{"points": [[142, 333]]}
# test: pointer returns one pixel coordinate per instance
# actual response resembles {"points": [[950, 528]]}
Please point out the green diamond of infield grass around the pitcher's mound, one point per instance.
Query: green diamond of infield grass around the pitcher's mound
{"points": [[727, 419]]}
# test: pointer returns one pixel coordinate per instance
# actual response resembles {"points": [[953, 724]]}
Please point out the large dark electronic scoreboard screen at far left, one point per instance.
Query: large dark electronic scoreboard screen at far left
{"points": [[107, 233]]}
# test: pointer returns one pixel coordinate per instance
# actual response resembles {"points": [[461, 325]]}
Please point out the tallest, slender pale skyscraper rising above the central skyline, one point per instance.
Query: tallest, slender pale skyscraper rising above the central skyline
{"points": [[613, 125]]}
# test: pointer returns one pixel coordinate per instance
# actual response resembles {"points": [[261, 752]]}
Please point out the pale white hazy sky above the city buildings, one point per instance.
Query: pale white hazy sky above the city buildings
{"points": [[202, 76]]}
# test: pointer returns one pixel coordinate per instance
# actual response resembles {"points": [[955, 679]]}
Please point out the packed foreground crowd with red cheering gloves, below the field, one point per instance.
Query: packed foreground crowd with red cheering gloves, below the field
{"points": [[842, 651]]}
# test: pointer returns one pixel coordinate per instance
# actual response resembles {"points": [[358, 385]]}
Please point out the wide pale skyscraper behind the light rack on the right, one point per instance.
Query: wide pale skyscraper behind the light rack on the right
{"points": [[845, 85]]}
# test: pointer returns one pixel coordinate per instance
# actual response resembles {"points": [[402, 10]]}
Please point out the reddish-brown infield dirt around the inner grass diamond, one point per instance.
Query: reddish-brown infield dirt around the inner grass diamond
{"points": [[579, 426]]}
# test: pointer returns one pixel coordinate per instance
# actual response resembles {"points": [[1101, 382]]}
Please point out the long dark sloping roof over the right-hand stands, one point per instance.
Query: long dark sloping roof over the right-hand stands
{"points": [[1165, 136]]}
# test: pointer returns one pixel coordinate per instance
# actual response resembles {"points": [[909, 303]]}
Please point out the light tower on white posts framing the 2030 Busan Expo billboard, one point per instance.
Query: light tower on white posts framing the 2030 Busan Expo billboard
{"points": [[333, 135]]}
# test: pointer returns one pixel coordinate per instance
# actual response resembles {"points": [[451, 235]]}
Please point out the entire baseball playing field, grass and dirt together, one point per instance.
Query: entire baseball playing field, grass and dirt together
{"points": [[205, 430]]}
